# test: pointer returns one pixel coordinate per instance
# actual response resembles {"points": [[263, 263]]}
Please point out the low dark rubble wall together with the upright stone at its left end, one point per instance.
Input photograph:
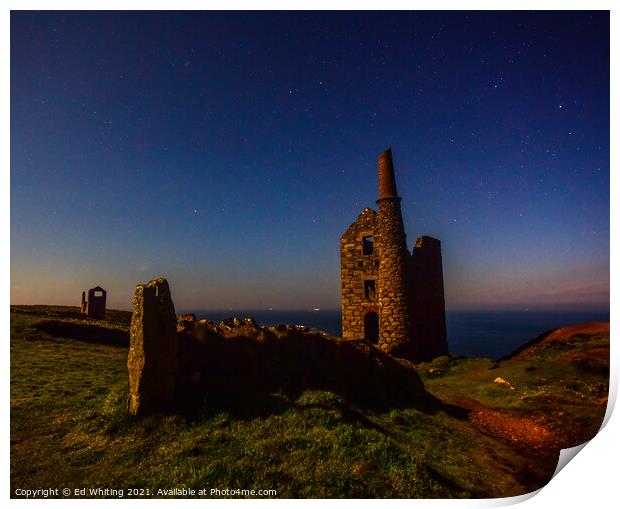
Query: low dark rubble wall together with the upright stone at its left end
{"points": [[189, 363]]}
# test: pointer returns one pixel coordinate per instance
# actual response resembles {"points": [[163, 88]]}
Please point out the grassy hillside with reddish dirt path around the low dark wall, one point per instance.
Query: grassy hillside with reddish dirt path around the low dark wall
{"points": [[69, 427]]}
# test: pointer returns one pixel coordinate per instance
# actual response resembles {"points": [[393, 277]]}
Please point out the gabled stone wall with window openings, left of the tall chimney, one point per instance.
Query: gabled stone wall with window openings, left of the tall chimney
{"points": [[355, 267]]}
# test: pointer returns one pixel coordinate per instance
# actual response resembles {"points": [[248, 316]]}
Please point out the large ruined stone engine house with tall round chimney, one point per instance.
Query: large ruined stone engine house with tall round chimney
{"points": [[389, 296]]}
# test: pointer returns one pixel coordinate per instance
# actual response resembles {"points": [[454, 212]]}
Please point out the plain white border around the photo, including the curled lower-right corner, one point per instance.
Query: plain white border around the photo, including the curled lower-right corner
{"points": [[588, 481]]}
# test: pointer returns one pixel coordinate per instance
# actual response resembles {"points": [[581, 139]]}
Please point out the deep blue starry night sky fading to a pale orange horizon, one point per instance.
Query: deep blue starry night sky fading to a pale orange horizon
{"points": [[229, 151]]}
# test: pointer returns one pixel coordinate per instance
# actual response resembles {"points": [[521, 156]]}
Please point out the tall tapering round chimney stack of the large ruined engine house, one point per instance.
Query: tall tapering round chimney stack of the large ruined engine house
{"points": [[394, 322]]}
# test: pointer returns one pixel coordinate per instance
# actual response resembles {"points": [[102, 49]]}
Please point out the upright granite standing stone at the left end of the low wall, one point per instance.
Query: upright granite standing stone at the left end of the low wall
{"points": [[153, 349]]}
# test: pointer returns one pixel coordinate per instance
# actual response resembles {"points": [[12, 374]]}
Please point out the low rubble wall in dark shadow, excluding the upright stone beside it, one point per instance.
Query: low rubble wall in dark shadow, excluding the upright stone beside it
{"points": [[226, 370]]}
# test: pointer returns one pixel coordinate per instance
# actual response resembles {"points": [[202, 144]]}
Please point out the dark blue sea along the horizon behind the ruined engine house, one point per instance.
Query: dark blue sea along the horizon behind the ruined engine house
{"points": [[470, 333]]}
